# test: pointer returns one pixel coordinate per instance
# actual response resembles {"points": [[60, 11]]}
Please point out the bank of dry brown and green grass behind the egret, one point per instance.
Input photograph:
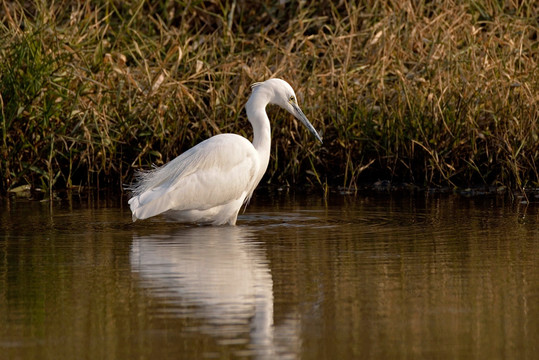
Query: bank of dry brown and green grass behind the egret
{"points": [[437, 95]]}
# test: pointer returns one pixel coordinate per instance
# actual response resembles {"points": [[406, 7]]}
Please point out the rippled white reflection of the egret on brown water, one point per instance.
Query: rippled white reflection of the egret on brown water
{"points": [[217, 274]]}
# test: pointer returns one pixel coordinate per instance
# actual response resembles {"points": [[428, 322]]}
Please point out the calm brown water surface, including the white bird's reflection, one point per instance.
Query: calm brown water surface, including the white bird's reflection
{"points": [[347, 277]]}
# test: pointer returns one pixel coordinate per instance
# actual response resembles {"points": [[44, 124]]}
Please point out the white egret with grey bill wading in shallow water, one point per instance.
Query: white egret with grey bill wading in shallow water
{"points": [[211, 181]]}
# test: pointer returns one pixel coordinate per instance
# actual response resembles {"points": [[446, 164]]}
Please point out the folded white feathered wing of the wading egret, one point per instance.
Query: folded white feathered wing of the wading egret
{"points": [[216, 171]]}
